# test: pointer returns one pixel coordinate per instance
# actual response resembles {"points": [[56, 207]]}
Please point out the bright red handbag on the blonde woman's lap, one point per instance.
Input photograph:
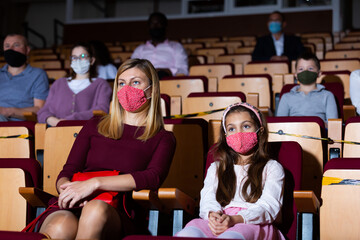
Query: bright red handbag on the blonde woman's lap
{"points": [[106, 196]]}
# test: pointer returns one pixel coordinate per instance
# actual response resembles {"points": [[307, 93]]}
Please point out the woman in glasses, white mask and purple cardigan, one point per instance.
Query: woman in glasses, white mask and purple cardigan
{"points": [[76, 97]]}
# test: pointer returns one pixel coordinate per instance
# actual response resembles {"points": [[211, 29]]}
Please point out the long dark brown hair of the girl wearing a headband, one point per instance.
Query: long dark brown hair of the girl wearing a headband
{"points": [[227, 157]]}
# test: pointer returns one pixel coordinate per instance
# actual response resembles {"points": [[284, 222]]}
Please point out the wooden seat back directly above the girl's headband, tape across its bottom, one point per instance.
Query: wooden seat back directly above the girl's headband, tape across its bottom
{"points": [[201, 102]]}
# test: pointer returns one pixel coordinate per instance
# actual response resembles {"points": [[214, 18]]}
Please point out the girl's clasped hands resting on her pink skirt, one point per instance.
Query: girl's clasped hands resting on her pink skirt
{"points": [[220, 222]]}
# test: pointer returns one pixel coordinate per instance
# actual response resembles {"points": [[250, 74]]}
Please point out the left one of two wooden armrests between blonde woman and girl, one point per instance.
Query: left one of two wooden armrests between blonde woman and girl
{"points": [[148, 199]]}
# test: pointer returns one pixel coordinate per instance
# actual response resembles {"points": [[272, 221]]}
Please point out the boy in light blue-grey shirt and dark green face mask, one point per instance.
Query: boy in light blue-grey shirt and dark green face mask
{"points": [[308, 98]]}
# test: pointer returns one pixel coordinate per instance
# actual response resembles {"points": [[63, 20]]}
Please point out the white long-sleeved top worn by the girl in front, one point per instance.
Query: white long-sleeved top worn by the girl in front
{"points": [[265, 210]]}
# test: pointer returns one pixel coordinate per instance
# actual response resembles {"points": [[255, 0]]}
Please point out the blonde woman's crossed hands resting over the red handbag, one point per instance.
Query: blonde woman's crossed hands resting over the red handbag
{"points": [[75, 192]]}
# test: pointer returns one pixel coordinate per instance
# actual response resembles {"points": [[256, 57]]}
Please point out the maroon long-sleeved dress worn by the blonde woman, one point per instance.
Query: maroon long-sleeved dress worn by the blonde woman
{"points": [[148, 162]]}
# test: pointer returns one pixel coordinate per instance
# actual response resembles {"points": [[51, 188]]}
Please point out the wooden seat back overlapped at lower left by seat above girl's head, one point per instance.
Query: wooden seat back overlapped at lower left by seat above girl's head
{"points": [[260, 84]]}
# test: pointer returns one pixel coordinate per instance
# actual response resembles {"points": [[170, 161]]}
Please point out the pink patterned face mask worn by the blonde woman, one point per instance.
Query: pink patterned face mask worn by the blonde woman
{"points": [[131, 99]]}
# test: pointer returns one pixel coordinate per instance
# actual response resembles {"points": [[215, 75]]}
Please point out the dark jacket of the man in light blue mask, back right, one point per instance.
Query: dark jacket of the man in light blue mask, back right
{"points": [[265, 48]]}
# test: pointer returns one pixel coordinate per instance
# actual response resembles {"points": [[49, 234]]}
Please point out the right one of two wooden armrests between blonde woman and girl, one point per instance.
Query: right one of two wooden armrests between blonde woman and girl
{"points": [[173, 198]]}
